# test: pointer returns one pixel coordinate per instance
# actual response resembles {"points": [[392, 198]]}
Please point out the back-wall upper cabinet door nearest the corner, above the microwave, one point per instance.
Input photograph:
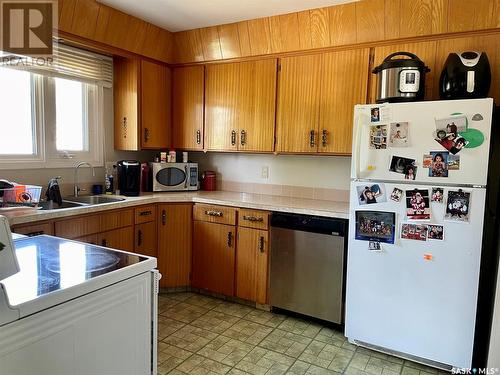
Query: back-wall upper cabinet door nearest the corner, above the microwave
{"points": [[188, 101]]}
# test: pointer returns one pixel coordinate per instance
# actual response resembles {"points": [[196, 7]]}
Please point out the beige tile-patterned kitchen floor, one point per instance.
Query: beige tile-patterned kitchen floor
{"points": [[202, 335]]}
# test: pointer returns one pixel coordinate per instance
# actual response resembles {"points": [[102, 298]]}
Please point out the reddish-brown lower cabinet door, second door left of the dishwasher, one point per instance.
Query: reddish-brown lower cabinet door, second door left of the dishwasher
{"points": [[213, 257]]}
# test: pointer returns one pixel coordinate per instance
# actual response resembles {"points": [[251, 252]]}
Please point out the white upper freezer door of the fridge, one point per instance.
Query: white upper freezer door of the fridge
{"points": [[371, 163]]}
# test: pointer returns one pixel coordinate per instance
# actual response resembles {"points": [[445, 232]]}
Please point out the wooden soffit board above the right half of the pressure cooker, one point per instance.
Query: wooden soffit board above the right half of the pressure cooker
{"points": [[415, 18]]}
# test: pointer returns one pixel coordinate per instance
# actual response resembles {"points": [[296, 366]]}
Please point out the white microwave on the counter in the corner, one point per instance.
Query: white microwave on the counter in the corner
{"points": [[174, 176]]}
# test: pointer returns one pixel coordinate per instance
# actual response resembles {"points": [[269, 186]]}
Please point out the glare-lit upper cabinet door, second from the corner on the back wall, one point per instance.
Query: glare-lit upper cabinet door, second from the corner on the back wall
{"points": [[221, 103]]}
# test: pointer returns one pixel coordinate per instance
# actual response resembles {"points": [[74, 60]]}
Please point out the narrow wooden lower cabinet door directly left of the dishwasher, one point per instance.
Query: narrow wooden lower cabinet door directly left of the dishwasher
{"points": [[251, 265]]}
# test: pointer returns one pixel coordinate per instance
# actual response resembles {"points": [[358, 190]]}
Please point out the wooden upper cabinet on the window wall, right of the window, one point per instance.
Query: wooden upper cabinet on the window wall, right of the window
{"points": [[141, 104]]}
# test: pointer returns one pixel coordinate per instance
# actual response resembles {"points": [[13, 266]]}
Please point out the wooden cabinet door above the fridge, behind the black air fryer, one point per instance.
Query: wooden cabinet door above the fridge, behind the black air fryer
{"points": [[486, 43]]}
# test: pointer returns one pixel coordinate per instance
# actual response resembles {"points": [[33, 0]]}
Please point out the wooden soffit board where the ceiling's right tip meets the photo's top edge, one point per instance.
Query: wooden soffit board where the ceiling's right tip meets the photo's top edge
{"points": [[370, 20]]}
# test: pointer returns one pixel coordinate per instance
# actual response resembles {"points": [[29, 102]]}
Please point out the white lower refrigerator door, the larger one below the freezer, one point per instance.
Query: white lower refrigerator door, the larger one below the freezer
{"points": [[416, 297]]}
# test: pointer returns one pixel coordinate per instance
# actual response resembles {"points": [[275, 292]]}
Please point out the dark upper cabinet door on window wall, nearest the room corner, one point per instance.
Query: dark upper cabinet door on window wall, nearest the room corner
{"points": [[155, 105]]}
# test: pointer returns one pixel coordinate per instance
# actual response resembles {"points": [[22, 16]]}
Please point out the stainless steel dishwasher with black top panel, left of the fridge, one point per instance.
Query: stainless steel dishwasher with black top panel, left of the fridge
{"points": [[307, 265]]}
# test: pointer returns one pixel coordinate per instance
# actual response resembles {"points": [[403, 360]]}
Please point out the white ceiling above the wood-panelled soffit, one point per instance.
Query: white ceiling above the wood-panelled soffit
{"points": [[178, 15]]}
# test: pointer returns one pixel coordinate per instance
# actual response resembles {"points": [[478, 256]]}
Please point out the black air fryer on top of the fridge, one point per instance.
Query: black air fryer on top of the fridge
{"points": [[465, 76]]}
